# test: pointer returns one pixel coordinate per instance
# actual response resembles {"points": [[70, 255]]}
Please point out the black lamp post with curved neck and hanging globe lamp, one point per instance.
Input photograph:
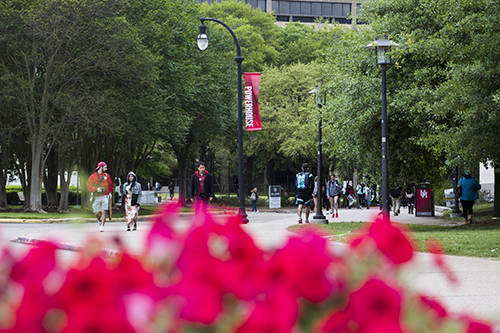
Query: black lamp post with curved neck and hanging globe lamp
{"points": [[202, 41]]}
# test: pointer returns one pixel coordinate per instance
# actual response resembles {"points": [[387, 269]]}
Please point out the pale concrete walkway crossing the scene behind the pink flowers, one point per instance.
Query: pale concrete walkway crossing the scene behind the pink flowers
{"points": [[478, 291]]}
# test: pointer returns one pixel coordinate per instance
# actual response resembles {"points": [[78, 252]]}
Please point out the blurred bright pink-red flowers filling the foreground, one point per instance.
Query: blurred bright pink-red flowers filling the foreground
{"points": [[213, 278]]}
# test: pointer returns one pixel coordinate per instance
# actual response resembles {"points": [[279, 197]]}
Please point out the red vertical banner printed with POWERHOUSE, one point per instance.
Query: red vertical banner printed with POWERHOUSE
{"points": [[252, 116]]}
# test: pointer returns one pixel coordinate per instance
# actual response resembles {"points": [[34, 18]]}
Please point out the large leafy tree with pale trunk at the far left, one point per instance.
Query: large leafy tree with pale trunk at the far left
{"points": [[56, 49]]}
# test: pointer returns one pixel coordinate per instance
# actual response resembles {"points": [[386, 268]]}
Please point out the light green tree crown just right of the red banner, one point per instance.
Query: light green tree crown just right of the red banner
{"points": [[288, 114]]}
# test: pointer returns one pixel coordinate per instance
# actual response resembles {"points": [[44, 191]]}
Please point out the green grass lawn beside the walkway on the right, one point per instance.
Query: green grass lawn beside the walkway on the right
{"points": [[479, 239]]}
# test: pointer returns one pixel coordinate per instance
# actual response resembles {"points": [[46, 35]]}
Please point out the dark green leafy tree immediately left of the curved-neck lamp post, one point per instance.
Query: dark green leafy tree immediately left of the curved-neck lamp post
{"points": [[196, 90]]}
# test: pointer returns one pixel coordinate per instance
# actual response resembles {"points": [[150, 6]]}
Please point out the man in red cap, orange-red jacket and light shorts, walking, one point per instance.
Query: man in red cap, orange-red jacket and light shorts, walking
{"points": [[100, 185]]}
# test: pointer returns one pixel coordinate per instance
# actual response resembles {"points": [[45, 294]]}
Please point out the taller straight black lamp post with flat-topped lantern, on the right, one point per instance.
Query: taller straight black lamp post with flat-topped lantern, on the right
{"points": [[382, 46]]}
